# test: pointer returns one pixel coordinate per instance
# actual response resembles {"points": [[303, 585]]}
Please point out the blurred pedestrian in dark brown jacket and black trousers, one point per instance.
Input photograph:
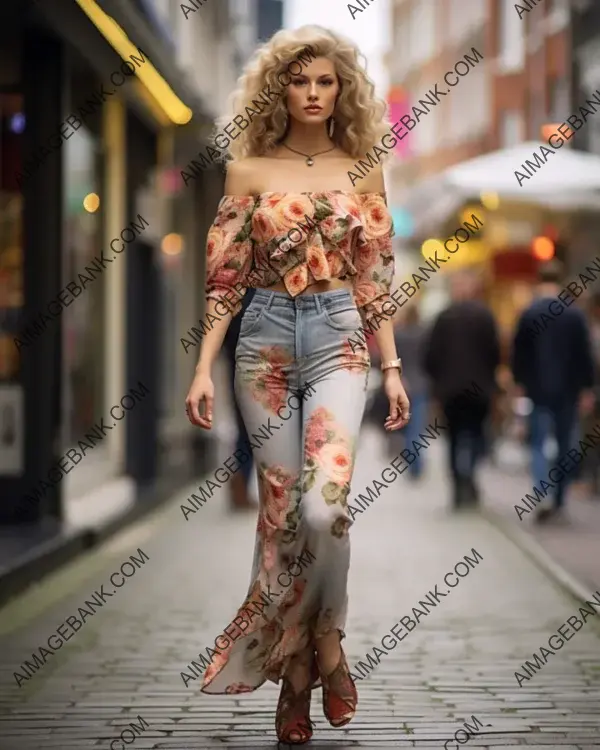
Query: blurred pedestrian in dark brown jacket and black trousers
{"points": [[462, 354]]}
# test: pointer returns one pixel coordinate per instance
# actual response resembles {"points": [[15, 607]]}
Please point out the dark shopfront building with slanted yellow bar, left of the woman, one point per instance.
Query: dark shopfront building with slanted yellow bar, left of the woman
{"points": [[102, 248]]}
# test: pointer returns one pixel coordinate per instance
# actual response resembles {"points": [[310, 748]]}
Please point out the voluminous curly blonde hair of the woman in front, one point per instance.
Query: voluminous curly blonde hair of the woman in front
{"points": [[360, 117]]}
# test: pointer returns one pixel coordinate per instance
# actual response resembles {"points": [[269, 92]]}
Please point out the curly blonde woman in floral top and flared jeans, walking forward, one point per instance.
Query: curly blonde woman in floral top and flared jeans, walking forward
{"points": [[314, 288]]}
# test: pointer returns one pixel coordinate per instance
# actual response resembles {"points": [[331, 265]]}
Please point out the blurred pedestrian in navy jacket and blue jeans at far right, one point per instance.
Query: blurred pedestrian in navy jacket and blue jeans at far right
{"points": [[553, 365]]}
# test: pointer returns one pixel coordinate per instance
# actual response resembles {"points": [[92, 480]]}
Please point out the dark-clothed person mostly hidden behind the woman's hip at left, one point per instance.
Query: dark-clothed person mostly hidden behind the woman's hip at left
{"points": [[239, 496]]}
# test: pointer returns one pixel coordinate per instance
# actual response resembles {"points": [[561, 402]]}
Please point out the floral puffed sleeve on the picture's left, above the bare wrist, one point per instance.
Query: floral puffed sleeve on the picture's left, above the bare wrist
{"points": [[229, 251]]}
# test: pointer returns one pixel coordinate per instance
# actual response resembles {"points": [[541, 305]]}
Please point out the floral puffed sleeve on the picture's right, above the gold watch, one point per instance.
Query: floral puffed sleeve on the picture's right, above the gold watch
{"points": [[374, 257]]}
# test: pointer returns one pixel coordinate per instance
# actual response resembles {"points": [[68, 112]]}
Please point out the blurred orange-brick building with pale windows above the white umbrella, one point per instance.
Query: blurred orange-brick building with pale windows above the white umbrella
{"points": [[523, 83]]}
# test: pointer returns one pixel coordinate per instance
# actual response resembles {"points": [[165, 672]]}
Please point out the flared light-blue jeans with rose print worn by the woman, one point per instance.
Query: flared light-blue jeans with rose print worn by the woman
{"points": [[304, 459]]}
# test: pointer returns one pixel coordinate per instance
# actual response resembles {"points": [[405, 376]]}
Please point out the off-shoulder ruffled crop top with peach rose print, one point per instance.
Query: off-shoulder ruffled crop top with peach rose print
{"points": [[301, 238]]}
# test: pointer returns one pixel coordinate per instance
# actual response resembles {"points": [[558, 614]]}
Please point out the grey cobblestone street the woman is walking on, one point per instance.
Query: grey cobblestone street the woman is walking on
{"points": [[458, 662]]}
